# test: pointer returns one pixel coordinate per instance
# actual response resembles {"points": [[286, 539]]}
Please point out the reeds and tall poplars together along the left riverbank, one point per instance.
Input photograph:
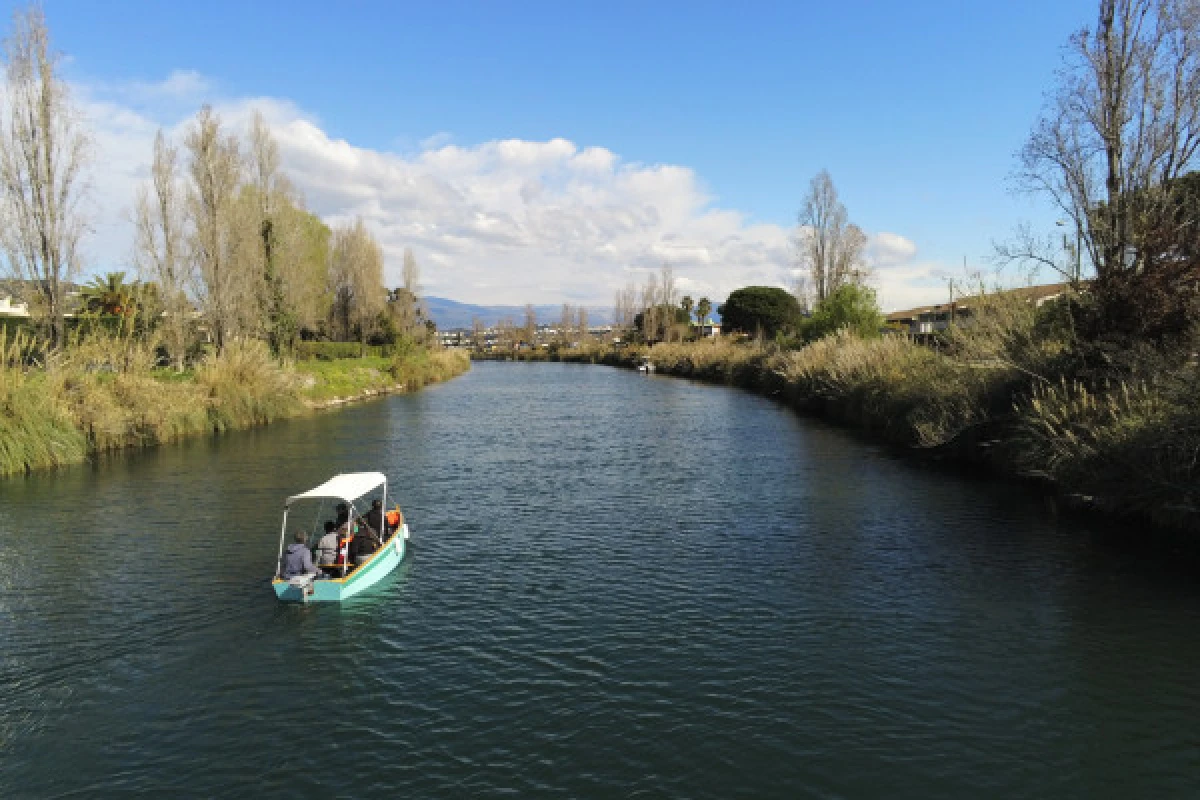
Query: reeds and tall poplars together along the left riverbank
{"points": [[238, 279]]}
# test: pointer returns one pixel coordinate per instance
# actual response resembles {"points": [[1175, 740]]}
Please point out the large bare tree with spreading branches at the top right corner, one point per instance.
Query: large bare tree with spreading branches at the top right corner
{"points": [[1123, 127]]}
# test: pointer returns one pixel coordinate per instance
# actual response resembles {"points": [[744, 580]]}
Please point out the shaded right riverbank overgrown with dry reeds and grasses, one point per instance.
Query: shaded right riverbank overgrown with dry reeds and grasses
{"points": [[1124, 447]]}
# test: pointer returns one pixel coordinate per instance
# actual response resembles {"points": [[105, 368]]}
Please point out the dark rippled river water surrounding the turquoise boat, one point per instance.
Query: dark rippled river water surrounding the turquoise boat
{"points": [[620, 587]]}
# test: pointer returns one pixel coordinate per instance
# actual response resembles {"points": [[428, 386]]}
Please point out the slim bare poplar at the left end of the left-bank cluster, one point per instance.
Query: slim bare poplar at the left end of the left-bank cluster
{"points": [[160, 246]]}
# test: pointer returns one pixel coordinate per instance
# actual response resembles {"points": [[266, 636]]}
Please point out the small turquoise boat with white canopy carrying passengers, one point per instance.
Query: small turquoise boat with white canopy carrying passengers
{"points": [[345, 580]]}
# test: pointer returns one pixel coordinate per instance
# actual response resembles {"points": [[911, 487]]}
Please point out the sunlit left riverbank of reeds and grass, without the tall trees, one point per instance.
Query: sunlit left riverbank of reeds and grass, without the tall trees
{"points": [[106, 395]]}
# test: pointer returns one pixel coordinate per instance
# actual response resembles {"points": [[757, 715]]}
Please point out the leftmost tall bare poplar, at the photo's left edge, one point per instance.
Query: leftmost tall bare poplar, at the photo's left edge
{"points": [[44, 155]]}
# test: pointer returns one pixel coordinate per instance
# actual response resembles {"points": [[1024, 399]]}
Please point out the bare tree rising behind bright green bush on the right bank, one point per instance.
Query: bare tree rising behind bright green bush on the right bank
{"points": [[829, 246]]}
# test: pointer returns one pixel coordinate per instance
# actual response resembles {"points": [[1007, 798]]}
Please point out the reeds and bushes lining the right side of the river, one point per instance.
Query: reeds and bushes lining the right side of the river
{"points": [[1018, 389]]}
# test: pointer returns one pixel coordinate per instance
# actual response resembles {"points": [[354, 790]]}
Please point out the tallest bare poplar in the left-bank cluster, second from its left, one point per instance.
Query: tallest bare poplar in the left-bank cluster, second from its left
{"points": [[215, 172]]}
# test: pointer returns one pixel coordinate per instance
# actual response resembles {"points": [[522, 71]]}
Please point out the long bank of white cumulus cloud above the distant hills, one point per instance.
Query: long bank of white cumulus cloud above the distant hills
{"points": [[500, 222]]}
